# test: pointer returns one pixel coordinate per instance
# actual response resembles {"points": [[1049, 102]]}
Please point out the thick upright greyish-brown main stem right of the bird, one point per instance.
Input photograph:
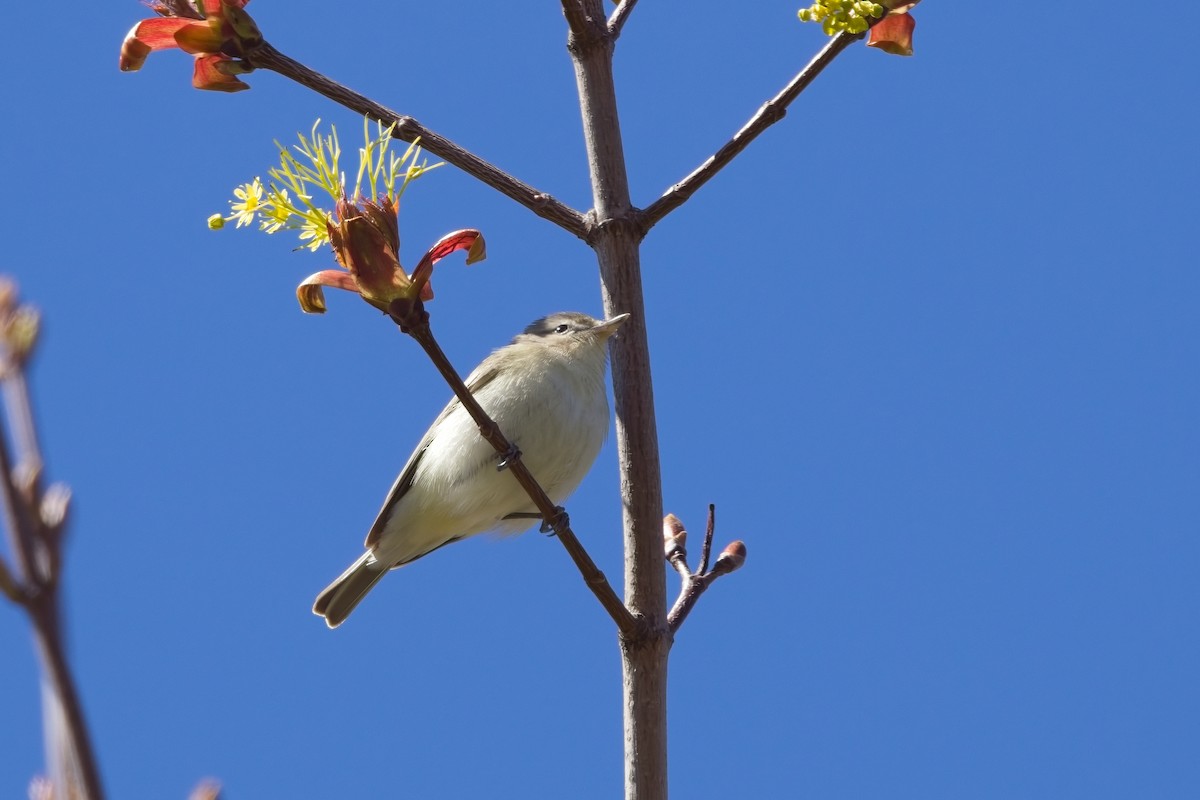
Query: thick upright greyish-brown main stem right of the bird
{"points": [[616, 237]]}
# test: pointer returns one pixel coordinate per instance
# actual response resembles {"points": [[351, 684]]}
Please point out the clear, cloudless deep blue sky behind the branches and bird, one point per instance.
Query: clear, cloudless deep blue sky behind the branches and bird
{"points": [[931, 347]]}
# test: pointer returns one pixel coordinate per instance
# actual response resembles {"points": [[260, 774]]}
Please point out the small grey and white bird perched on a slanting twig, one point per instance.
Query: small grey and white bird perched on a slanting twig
{"points": [[547, 393]]}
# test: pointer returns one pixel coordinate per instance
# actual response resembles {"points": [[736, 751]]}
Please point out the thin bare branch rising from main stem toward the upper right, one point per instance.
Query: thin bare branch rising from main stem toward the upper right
{"points": [[772, 112]]}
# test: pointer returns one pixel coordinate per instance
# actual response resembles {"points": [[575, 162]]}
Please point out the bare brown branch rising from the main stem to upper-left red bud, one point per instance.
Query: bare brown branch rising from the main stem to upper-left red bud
{"points": [[407, 129]]}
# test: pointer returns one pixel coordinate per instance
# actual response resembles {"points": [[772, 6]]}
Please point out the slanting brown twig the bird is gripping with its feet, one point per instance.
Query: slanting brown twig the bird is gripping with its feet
{"points": [[415, 321]]}
